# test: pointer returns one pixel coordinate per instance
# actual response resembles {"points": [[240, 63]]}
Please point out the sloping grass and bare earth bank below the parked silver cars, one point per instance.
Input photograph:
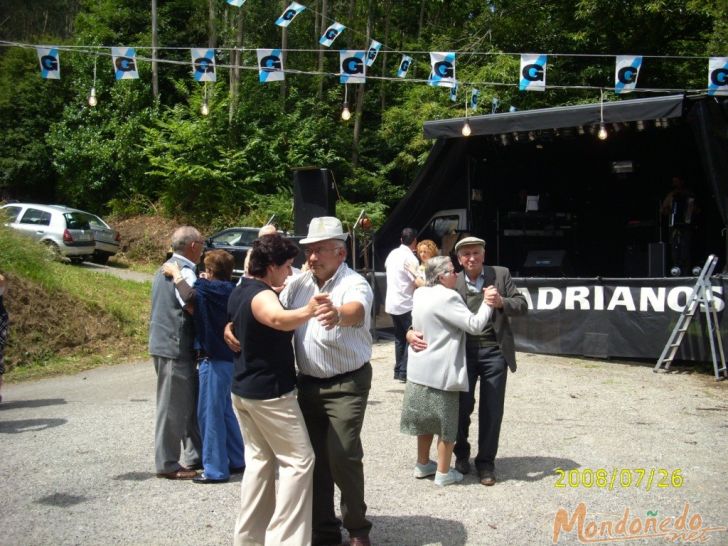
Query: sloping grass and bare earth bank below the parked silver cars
{"points": [[65, 318]]}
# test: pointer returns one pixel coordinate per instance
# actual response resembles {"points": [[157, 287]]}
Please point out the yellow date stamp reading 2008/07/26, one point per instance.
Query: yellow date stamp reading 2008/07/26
{"points": [[619, 478]]}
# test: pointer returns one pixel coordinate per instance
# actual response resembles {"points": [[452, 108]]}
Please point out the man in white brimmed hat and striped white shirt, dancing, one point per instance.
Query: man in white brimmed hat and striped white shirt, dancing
{"points": [[333, 350]]}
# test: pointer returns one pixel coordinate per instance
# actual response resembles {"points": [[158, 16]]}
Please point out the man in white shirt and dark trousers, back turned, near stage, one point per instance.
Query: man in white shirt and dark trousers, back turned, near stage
{"points": [[401, 266]]}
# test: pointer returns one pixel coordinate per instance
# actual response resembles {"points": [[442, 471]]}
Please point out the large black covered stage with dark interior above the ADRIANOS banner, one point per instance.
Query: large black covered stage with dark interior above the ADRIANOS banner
{"points": [[600, 200]]}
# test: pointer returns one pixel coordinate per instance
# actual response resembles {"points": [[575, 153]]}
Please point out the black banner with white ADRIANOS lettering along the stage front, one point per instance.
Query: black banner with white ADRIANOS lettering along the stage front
{"points": [[628, 318]]}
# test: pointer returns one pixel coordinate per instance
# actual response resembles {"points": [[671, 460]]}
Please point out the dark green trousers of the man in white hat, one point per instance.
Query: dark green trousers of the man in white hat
{"points": [[334, 413]]}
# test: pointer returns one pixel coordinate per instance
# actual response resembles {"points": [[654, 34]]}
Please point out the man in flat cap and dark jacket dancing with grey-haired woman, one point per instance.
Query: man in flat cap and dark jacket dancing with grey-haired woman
{"points": [[488, 353]]}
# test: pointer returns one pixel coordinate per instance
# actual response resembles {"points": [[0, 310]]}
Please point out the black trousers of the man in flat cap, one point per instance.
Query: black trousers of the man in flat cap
{"points": [[488, 365]]}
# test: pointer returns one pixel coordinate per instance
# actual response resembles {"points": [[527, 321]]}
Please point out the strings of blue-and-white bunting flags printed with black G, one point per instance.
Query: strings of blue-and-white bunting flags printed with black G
{"points": [[353, 64]]}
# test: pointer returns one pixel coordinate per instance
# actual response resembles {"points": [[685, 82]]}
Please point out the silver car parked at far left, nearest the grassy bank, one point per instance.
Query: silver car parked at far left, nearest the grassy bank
{"points": [[65, 231]]}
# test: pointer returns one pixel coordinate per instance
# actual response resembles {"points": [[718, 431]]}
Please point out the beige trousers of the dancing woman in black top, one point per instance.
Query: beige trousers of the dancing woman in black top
{"points": [[275, 436]]}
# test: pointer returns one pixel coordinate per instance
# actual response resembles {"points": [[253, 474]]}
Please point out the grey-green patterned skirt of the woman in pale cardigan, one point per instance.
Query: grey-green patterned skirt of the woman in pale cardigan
{"points": [[430, 411]]}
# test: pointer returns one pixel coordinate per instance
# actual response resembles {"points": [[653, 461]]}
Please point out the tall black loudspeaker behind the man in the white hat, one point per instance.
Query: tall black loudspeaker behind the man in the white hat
{"points": [[313, 196]]}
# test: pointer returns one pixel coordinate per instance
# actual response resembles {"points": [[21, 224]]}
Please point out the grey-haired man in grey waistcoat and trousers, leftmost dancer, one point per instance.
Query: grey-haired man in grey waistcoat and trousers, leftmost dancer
{"points": [[171, 337]]}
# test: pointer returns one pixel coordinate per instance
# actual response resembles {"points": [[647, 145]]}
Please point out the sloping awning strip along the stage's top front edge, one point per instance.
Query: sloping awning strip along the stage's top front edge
{"points": [[559, 117]]}
